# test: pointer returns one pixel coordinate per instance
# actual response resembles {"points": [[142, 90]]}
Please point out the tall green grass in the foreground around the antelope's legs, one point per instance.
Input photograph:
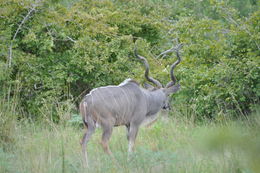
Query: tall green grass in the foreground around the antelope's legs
{"points": [[170, 145]]}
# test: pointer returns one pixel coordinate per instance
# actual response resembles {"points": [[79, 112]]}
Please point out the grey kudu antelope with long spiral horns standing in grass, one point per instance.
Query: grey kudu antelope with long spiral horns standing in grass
{"points": [[126, 104]]}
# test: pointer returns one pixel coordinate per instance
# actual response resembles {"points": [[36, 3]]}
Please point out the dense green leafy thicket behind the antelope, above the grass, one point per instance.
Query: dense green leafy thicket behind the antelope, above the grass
{"points": [[54, 51]]}
